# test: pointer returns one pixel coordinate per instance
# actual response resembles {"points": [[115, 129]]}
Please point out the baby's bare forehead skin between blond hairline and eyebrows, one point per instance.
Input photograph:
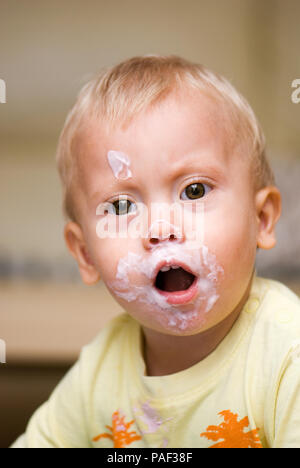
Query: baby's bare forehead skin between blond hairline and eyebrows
{"points": [[182, 127]]}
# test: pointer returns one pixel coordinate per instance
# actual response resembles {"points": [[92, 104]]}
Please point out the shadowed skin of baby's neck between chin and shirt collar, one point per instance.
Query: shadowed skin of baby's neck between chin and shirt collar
{"points": [[168, 354]]}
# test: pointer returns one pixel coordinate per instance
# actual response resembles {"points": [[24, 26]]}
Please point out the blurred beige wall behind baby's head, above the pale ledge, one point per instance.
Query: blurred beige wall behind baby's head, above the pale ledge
{"points": [[49, 49]]}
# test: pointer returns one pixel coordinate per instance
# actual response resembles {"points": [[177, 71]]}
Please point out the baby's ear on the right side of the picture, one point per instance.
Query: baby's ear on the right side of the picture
{"points": [[268, 211]]}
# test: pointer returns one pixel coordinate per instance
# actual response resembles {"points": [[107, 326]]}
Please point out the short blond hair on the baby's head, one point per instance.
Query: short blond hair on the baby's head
{"points": [[122, 92]]}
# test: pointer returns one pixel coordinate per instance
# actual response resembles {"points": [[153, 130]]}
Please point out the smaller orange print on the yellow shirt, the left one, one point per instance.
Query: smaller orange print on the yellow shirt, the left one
{"points": [[119, 432]]}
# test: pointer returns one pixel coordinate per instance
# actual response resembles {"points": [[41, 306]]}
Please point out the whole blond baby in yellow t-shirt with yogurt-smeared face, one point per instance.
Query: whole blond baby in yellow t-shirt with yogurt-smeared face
{"points": [[168, 195]]}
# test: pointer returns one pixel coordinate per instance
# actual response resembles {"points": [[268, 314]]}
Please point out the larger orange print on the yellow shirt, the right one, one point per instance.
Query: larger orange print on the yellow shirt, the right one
{"points": [[232, 433]]}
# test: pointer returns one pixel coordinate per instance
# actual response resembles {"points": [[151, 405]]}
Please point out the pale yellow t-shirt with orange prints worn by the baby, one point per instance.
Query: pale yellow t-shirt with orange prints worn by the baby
{"points": [[246, 393]]}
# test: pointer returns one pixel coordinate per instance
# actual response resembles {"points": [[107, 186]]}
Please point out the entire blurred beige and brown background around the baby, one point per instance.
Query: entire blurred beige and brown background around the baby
{"points": [[48, 50]]}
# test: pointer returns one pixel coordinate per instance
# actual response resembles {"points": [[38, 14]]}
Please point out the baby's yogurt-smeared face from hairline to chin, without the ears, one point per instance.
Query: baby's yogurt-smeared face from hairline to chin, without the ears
{"points": [[175, 155]]}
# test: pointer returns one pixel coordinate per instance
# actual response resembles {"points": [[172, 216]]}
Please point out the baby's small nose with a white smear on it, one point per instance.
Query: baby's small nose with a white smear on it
{"points": [[162, 231]]}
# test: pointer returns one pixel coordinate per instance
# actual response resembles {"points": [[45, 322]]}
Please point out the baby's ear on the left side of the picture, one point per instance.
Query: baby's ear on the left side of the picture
{"points": [[77, 247]]}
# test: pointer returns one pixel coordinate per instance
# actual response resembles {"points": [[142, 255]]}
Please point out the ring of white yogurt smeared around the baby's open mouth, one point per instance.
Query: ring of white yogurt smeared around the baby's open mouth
{"points": [[202, 262]]}
